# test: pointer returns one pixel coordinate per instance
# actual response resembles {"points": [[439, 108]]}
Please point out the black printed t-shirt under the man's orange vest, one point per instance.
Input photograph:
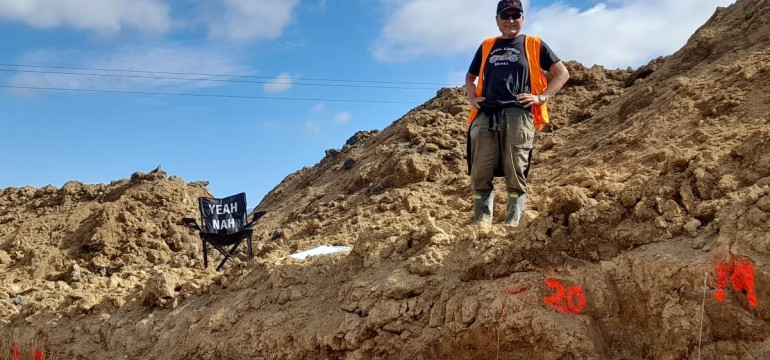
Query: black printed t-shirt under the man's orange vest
{"points": [[507, 71]]}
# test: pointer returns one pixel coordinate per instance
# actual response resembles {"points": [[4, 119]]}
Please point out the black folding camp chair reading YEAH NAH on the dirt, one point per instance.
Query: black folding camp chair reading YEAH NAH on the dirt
{"points": [[223, 224]]}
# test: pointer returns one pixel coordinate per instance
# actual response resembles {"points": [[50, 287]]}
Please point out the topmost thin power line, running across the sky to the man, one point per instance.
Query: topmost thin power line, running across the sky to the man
{"points": [[226, 75]]}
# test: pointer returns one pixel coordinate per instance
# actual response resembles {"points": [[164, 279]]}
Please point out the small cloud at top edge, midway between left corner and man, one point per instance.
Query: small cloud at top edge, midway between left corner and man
{"points": [[245, 20]]}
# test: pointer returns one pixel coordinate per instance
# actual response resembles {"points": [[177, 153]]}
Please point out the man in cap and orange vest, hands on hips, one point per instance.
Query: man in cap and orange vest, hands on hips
{"points": [[508, 104]]}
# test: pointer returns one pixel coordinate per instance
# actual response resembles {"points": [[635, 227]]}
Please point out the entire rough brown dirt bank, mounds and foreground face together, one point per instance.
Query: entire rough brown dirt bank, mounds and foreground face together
{"points": [[648, 183]]}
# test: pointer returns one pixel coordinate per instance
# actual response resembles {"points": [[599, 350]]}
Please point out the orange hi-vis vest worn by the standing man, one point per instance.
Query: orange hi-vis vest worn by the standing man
{"points": [[537, 80]]}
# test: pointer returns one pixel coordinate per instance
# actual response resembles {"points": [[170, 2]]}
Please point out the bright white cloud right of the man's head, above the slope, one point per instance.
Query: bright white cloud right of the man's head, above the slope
{"points": [[629, 34]]}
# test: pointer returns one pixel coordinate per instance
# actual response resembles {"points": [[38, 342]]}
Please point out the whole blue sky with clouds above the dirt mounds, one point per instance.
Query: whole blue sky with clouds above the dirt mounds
{"points": [[242, 93]]}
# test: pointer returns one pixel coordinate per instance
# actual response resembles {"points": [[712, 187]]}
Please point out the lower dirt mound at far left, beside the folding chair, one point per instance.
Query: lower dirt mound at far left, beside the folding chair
{"points": [[86, 248]]}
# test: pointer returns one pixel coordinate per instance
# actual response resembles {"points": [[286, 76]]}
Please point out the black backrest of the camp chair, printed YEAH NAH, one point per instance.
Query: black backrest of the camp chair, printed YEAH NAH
{"points": [[223, 216]]}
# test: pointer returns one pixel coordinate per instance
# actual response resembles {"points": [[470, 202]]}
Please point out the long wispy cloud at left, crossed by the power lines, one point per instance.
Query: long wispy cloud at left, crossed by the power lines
{"points": [[159, 61]]}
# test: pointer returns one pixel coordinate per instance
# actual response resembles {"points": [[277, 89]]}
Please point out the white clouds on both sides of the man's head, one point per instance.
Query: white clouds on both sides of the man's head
{"points": [[619, 33]]}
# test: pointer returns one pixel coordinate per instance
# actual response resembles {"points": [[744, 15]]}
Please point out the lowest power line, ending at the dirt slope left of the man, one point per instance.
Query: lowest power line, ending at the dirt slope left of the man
{"points": [[204, 95]]}
